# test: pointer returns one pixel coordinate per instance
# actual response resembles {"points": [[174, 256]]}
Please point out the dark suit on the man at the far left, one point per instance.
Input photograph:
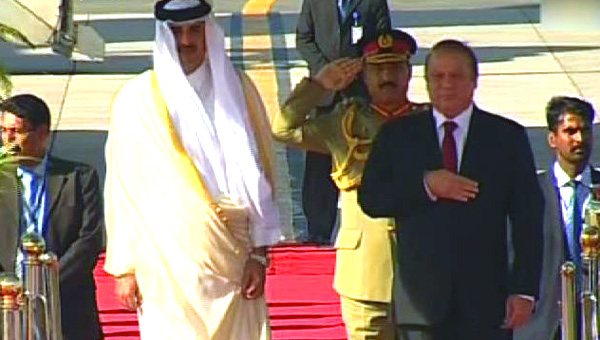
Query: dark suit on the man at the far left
{"points": [[74, 235]]}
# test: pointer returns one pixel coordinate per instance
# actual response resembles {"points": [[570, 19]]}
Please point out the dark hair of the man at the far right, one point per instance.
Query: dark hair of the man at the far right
{"points": [[561, 105]]}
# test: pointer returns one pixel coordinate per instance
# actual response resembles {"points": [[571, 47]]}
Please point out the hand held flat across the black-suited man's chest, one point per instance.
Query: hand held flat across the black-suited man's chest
{"points": [[445, 184]]}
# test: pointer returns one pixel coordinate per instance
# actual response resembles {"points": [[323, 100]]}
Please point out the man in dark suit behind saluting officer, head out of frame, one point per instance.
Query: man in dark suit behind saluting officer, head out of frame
{"points": [[326, 31]]}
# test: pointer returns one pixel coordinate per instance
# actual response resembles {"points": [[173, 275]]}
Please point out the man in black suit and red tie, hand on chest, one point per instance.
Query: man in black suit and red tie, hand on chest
{"points": [[452, 177]]}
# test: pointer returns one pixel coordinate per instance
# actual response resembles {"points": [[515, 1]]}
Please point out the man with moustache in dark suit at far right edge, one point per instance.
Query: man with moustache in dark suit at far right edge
{"points": [[567, 189]]}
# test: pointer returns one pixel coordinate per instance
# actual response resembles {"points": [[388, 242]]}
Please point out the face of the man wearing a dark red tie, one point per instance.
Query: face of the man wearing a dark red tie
{"points": [[450, 82]]}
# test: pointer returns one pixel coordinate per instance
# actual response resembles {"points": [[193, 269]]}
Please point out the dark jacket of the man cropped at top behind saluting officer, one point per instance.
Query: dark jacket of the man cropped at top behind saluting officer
{"points": [[321, 39]]}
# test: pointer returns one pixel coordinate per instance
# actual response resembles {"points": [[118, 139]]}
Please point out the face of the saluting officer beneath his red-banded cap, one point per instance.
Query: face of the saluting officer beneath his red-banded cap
{"points": [[388, 83]]}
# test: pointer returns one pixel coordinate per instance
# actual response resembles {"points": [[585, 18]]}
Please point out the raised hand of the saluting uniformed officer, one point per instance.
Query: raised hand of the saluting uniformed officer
{"points": [[338, 74]]}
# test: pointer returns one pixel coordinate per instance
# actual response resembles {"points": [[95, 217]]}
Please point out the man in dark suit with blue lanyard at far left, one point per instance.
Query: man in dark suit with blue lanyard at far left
{"points": [[59, 199]]}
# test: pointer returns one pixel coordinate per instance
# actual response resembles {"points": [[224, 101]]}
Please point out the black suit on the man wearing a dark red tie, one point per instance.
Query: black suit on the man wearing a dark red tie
{"points": [[452, 256]]}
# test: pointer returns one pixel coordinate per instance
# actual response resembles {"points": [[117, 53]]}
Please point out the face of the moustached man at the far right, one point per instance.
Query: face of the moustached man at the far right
{"points": [[572, 142]]}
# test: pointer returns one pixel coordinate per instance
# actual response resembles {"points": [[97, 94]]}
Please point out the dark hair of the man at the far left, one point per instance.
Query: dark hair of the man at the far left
{"points": [[29, 107]]}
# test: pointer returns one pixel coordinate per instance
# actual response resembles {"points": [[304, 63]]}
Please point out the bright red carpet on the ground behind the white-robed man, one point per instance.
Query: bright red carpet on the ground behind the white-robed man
{"points": [[302, 304]]}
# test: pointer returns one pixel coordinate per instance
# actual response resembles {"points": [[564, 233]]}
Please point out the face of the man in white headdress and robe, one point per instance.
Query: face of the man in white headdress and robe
{"points": [[191, 45]]}
